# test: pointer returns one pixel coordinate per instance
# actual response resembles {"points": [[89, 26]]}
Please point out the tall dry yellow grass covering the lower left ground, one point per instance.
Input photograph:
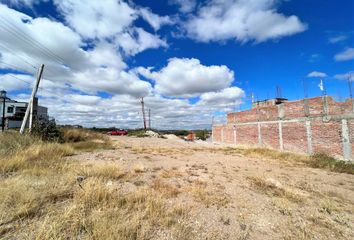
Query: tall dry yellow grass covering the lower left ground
{"points": [[45, 194]]}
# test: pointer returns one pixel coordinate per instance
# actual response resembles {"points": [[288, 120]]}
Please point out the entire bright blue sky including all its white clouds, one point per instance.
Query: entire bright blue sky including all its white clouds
{"points": [[189, 59]]}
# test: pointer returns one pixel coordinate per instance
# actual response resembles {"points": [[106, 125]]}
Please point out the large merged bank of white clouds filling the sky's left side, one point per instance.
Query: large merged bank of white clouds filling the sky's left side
{"points": [[85, 64]]}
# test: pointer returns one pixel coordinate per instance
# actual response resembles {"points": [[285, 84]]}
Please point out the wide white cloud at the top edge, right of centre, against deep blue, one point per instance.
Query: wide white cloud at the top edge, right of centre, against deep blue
{"points": [[241, 20]]}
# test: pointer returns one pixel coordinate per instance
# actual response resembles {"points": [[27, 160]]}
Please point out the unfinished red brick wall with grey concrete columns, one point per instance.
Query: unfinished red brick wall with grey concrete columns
{"points": [[304, 126]]}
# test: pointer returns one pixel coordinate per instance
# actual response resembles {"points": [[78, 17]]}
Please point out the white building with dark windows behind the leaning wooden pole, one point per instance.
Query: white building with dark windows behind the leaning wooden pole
{"points": [[15, 111]]}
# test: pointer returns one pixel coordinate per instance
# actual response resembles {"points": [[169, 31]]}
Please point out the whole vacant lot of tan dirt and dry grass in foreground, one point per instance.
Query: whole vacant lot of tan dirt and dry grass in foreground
{"points": [[150, 188]]}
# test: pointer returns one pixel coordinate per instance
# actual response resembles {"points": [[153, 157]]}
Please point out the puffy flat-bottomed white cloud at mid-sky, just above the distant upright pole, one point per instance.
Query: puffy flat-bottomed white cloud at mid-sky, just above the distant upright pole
{"points": [[183, 77]]}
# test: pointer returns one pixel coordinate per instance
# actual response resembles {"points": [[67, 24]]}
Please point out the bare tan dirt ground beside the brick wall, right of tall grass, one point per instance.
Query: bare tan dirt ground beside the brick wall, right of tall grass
{"points": [[231, 196]]}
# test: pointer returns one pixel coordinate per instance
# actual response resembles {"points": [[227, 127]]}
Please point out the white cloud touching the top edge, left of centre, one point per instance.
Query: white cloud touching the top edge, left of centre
{"points": [[94, 19]]}
